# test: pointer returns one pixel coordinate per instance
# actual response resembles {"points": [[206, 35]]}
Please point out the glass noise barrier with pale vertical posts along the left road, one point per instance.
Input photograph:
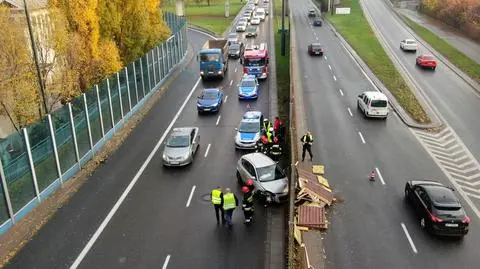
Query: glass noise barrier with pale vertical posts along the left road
{"points": [[41, 157]]}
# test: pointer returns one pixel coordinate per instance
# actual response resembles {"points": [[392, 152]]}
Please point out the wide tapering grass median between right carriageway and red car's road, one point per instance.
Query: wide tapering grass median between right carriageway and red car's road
{"points": [[356, 30]]}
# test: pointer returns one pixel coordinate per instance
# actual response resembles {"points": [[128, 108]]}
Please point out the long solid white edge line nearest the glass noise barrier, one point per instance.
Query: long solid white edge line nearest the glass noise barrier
{"points": [[120, 200]]}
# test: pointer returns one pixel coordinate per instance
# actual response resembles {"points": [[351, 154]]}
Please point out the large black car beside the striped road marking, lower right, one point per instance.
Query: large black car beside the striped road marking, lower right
{"points": [[438, 208]]}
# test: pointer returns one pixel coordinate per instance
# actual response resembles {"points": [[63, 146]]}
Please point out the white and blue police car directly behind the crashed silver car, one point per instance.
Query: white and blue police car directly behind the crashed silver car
{"points": [[249, 130]]}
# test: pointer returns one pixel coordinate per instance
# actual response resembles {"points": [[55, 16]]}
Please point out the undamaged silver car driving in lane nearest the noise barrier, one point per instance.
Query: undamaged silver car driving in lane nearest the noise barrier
{"points": [[181, 146]]}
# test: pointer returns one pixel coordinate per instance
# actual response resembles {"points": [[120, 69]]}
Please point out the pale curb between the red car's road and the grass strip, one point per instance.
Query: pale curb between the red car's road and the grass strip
{"points": [[472, 83]]}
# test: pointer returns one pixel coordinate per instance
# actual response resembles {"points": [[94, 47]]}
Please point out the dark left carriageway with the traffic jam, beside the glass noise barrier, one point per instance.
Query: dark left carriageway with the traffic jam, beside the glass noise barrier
{"points": [[158, 224]]}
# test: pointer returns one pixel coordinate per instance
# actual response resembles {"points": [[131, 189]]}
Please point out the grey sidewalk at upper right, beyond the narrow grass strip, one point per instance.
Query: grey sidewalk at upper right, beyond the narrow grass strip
{"points": [[464, 44]]}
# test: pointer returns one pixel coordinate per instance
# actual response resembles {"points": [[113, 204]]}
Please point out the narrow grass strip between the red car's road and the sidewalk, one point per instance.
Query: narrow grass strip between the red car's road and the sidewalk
{"points": [[462, 61]]}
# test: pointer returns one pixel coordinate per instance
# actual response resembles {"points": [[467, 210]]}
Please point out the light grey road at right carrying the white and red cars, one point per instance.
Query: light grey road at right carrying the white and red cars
{"points": [[456, 100]]}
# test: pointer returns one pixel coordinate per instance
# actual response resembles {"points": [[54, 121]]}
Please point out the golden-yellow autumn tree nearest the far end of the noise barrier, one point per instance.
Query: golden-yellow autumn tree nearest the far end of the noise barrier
{"points": [[135, 26]]}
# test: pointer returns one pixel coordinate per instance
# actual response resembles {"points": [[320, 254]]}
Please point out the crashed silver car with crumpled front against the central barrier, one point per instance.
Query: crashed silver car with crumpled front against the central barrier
{"points": [[269, 179]]}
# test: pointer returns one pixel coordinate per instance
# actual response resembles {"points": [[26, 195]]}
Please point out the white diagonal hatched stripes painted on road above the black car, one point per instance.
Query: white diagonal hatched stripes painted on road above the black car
{"points": [[454, 159]]}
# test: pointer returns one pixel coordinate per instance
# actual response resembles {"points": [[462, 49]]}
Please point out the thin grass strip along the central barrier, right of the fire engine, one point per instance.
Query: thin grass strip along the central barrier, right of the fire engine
{"points": [[282, 62]]}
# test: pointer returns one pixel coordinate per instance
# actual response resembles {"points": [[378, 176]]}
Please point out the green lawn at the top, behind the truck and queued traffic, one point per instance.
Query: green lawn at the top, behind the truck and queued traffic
{"points": [[211, 17]]}
